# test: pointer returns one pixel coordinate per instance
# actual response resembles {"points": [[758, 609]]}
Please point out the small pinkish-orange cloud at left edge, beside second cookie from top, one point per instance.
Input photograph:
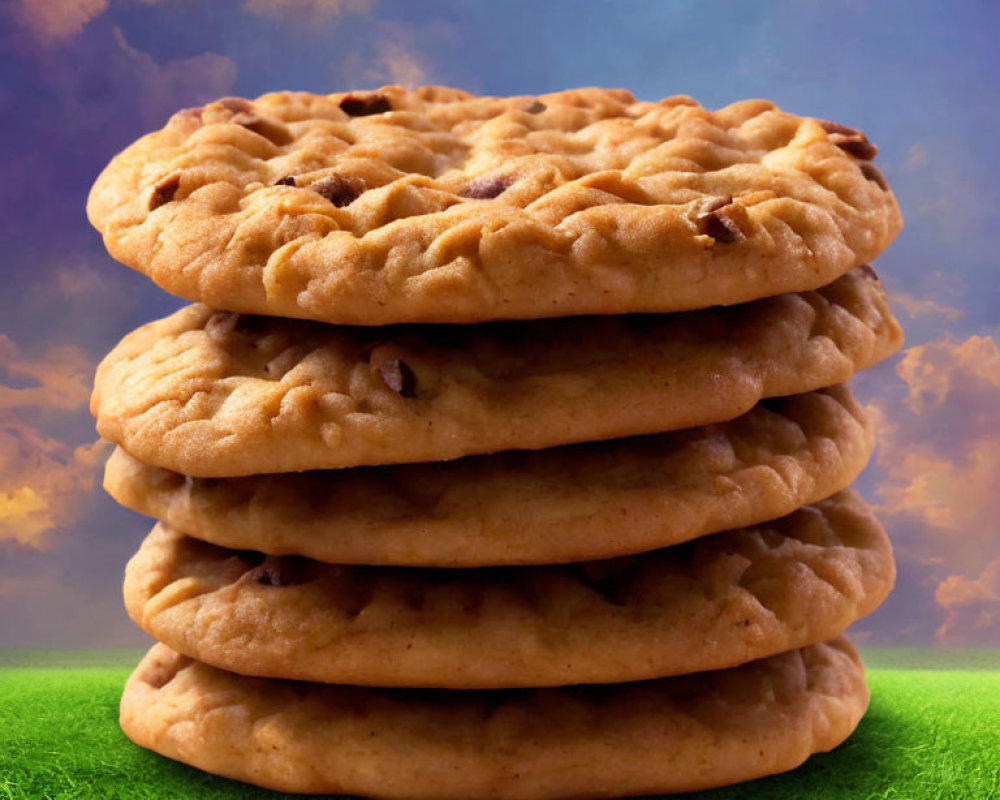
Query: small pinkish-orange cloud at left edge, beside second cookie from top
{"points": [[60, 380]]}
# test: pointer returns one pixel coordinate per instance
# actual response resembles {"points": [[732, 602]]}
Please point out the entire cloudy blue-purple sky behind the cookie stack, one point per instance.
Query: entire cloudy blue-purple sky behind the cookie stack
{"points": [[81, 79]]}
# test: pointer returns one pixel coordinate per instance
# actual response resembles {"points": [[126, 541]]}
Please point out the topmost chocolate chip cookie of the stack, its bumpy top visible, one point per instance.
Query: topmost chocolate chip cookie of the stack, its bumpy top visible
{"points": [[439, 206]]}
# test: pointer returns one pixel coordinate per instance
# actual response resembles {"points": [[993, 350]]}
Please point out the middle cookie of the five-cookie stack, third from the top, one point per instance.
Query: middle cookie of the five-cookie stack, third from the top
{"points": [[518, 507]]}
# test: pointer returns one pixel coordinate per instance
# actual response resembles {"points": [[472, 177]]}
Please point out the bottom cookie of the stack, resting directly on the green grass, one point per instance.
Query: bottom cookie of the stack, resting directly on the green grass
{"points": [[670, 735]]}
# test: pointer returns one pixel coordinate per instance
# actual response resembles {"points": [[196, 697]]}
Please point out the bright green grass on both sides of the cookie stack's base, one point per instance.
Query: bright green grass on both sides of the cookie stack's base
{"points": [[928, 734]]}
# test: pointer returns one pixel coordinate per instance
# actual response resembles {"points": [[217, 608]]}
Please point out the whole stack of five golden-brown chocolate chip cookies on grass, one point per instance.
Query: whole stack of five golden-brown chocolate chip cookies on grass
{"points": [[506, 452]]}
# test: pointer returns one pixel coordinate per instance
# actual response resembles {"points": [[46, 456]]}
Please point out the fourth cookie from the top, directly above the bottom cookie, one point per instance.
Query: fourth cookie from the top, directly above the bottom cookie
{"points": [[711, 603]]}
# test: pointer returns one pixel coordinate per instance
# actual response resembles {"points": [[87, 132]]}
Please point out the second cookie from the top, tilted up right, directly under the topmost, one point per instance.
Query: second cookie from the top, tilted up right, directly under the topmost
{"points": [[215, 394]]}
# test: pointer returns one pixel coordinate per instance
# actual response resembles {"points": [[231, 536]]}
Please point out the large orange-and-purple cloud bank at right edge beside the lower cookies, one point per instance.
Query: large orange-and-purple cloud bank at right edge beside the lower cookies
{"points": [[939, 464]]}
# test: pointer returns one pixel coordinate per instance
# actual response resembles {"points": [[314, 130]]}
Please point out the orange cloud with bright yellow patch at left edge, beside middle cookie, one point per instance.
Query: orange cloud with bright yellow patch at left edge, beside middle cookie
{"points": [[43, 483]]}
